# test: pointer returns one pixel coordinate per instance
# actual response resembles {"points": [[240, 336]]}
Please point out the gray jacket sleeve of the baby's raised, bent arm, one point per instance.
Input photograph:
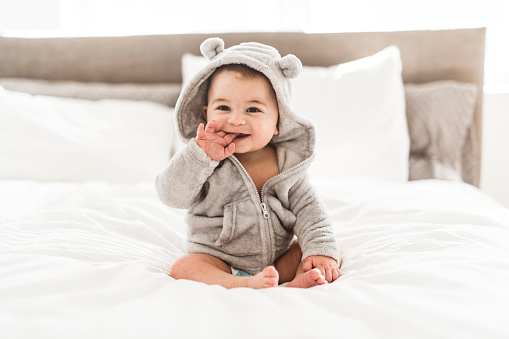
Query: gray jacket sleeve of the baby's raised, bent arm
{"points": [[180, 184]]}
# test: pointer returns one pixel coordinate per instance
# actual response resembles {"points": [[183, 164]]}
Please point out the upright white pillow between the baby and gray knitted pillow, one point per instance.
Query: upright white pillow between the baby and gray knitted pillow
{"points": [[358, 109]]}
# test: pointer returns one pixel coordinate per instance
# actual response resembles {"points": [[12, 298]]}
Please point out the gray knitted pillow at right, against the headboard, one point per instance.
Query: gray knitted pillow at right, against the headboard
{"points": [[439, 116]]}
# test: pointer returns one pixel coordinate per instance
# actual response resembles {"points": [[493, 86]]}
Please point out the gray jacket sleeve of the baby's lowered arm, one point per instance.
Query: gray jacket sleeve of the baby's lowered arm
{"points": [[313, 228]]}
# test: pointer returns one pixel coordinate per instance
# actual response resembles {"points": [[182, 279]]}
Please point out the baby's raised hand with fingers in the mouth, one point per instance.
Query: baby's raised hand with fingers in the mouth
{"points": [[217, 145]]}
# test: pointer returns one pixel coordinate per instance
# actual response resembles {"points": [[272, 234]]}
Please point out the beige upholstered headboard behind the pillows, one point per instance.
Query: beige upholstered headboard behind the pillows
{"points": [[426, 55]]}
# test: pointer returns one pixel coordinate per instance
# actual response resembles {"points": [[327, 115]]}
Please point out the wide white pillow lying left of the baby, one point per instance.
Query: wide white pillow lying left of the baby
{"points": [[59, 139]]}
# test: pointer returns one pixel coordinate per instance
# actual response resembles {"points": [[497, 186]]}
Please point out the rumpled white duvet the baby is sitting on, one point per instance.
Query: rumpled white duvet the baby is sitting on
{"points": [[427, 259]]}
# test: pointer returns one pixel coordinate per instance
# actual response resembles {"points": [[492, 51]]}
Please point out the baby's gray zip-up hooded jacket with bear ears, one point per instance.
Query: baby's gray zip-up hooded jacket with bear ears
{"points": [[227, 218]]}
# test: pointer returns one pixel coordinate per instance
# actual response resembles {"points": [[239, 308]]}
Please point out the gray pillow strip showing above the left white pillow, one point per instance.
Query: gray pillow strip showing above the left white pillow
{"points": [[166, 94]]}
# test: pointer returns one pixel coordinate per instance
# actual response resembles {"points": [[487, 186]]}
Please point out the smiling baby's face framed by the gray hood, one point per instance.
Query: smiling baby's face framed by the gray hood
{"points": [[243, 106]]}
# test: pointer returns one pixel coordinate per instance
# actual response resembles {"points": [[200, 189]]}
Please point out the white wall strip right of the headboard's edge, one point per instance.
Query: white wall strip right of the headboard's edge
{"points": [[495, 148]]}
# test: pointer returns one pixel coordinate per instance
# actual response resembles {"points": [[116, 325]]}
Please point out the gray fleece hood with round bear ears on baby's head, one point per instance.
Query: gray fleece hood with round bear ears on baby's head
{"points": [[295, 132]]}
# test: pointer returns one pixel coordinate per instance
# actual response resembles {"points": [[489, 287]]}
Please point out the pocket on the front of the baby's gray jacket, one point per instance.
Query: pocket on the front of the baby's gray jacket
{"points": [[241, 229]]}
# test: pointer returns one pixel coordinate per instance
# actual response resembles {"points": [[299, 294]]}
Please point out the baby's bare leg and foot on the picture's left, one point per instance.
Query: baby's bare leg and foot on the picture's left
{"points": [[213, 271]]}
